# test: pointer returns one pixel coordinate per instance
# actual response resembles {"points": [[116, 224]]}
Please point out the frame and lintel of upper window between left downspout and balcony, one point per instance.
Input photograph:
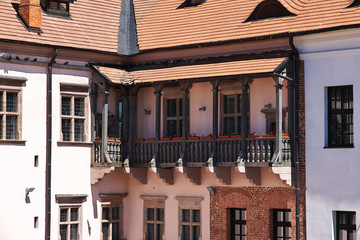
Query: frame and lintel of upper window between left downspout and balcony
{"points": [[75, 92]]}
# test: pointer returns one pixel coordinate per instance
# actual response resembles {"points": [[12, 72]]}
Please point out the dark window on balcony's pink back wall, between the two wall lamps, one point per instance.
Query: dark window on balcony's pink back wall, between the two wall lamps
{"points": [[173, 117]]}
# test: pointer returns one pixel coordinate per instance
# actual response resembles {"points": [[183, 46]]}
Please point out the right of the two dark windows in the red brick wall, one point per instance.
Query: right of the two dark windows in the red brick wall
{"points": [[282, 224]]}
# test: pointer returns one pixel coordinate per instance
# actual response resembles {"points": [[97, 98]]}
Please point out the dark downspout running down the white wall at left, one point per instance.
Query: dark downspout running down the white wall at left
{"points": [[48, 146]]}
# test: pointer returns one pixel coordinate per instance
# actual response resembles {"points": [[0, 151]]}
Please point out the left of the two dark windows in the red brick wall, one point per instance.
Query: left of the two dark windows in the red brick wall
{"points": [[238, 224]]}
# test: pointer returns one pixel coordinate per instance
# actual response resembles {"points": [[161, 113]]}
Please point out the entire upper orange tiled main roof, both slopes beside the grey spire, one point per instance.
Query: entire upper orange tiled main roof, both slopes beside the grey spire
{"points": [[94, 24]]}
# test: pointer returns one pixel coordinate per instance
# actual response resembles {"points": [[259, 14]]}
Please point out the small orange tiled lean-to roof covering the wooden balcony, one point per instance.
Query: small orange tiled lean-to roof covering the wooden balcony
{"points": [[244, 67]]}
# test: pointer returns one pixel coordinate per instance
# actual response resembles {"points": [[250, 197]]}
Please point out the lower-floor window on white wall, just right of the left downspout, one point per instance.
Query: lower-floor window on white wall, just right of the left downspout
{"points": [[69, 223]]}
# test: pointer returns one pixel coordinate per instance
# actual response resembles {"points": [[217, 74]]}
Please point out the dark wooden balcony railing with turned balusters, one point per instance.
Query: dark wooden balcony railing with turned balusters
{"points": [[197, 152]]}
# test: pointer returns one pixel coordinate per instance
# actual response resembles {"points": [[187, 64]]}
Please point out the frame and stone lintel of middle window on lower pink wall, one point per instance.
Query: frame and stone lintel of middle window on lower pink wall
{"points": [[155, 202]]}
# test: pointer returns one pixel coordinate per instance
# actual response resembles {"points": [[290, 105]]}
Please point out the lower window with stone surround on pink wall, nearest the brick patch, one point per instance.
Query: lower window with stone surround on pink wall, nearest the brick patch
{"points": [[189, 218]]}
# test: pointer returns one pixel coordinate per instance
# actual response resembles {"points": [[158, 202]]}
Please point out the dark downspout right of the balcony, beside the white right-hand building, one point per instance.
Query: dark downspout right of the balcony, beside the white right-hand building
{"points": [[296, 135]]}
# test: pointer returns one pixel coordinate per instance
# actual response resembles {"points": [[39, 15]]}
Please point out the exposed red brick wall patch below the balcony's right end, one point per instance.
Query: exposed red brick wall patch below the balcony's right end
{"points": [[259, 203]]}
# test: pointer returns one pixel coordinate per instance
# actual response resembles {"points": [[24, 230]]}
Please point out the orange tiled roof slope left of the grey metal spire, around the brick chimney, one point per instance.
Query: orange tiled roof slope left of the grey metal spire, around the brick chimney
{"points": [[93, 25]]}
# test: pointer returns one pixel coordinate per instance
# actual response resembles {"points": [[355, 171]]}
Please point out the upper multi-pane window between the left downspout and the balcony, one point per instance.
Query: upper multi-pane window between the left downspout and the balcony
{"points": [[73, 118]]}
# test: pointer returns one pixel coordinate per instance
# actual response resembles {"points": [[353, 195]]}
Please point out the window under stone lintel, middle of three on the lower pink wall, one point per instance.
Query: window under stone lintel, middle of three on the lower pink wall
{"points": [[154, 223]]}
